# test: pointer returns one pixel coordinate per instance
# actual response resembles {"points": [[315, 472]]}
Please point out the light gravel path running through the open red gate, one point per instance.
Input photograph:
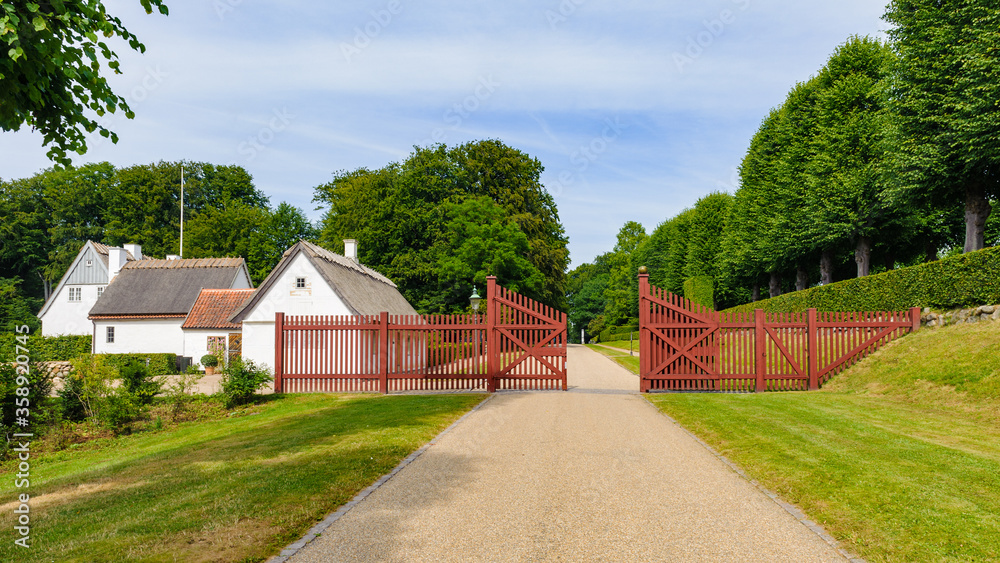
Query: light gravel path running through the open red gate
{"points": [[593, 474]]}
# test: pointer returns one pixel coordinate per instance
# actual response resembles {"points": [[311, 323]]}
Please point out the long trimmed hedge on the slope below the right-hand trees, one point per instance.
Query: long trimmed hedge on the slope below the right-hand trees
{"points": [[956, 282]]}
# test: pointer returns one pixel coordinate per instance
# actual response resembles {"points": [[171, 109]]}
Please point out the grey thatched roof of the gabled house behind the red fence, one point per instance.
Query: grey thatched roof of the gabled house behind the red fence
{"points": [[363, 290]]}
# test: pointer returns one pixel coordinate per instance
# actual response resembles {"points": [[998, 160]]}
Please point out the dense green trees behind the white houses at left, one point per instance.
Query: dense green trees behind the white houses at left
{"points": [[45, 219]]}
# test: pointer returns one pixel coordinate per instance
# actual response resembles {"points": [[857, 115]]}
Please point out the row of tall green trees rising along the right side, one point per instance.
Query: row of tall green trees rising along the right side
{"points": [[887, 157]]}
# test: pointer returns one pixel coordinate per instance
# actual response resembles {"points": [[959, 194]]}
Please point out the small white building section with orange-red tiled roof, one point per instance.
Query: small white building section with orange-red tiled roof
{"points": [[207, 328]]}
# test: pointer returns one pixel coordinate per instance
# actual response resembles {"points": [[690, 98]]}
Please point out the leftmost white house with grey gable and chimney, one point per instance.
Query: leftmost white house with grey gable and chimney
{"points": [[91, 271]]}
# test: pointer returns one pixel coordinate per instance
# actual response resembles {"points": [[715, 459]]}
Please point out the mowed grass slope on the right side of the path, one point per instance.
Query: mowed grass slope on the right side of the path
{"points": [[898, 457]]}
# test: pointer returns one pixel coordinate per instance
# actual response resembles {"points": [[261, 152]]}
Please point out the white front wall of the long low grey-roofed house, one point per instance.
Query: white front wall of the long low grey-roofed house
{"points": [[146, 336]]}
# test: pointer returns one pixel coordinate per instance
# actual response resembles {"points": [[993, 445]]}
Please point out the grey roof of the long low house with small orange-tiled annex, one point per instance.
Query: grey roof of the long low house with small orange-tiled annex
{"points": [[143, 288]]}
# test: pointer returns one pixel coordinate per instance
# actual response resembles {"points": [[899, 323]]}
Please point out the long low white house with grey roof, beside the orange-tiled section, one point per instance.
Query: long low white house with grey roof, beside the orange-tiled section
{"points": [[144, 307]]}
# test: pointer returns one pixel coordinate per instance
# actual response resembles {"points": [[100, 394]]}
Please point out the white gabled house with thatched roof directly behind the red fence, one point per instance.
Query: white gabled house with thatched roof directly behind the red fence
{"points": [[311, 280]]}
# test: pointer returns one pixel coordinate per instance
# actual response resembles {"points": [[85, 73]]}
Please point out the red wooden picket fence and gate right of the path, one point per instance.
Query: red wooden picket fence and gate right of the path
{"points": [[688, 347]]}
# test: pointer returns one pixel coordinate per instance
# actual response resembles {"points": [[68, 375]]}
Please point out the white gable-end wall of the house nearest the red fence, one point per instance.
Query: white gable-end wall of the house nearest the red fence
{"points": [[316, 299]]}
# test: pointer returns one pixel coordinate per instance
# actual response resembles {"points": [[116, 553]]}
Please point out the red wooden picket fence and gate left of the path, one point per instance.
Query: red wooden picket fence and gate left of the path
{"points": [[517, 344]]}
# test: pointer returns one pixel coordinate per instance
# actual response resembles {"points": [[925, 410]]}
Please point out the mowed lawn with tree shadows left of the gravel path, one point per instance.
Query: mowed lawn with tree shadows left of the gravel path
{"points": [[237, 489]]}
